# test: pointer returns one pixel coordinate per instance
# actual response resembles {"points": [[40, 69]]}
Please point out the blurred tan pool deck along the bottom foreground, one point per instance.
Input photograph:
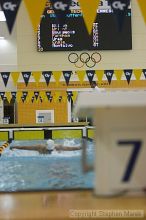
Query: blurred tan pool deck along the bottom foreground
{"points": [[56, 205]]}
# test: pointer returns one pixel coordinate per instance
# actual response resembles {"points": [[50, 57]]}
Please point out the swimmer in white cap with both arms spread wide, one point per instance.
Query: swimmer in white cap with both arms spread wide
{"points": [[47, 148]]}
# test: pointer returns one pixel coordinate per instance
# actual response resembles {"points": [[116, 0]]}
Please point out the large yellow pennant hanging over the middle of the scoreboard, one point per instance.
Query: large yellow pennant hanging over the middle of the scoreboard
{"points": [[89, 10]]}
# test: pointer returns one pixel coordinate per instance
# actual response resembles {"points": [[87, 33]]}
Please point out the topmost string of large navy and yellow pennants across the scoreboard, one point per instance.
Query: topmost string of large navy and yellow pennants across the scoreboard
{"points": [[35, 9]]}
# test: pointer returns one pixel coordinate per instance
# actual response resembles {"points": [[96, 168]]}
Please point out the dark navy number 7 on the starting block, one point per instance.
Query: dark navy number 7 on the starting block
{"points": [[132, 160]]}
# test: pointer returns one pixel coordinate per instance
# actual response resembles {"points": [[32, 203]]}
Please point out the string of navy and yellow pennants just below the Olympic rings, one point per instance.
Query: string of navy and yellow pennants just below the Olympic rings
{"points": [[67, 77]]}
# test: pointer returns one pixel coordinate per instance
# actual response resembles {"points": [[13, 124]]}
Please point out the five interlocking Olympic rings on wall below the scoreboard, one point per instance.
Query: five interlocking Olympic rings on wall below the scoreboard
{"points": [[84, 58]]}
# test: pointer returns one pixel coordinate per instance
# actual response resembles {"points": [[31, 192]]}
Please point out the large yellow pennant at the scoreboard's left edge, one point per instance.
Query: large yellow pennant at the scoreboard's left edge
{"points": [[35, 9]]}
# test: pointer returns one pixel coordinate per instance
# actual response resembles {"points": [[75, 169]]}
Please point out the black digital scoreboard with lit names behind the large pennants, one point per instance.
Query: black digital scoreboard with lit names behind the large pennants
{"points": [[73, 36]]}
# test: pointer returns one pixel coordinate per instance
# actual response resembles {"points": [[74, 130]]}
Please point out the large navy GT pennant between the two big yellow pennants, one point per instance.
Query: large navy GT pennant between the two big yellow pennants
{"points": [[61, 9]]}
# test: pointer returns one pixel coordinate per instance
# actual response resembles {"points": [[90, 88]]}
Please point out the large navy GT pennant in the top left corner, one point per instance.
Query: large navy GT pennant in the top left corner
{"points": [[10, 9]]}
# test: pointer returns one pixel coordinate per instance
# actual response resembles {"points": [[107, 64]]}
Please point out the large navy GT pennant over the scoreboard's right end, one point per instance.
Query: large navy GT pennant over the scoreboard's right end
{"points": [[119, 8]]}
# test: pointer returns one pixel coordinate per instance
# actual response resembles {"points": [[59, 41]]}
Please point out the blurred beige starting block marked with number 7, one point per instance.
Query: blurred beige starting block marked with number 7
{"points": [[120, 139]]}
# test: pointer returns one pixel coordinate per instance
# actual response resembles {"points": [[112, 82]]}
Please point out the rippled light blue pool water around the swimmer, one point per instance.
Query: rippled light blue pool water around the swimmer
{"points": [[22, 170]]}
